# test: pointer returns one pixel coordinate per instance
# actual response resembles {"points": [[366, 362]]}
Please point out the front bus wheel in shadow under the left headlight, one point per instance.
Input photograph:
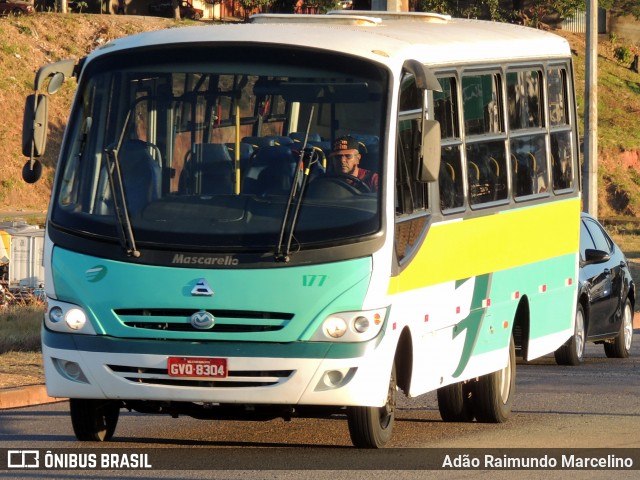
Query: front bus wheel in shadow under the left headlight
{"points": [[94, 420]]}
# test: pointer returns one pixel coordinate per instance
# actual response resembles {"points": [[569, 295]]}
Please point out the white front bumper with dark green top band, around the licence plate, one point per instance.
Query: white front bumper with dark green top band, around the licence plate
{"points": [[299, 373]]}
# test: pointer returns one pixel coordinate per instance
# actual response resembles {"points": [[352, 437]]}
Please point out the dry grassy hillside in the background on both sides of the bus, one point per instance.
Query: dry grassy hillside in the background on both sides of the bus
{"points": [[28, 42]]}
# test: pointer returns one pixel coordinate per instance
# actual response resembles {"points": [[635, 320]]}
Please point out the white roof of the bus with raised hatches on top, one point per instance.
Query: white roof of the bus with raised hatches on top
{"points": [[385, 37]]}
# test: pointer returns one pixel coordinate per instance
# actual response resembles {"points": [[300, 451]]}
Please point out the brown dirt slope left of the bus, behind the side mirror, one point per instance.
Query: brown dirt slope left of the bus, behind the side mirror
{"points": [[26, 43]]}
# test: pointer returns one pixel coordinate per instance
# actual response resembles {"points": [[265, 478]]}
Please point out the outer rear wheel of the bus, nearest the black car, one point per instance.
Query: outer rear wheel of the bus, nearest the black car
{"points": [[493, 393]]}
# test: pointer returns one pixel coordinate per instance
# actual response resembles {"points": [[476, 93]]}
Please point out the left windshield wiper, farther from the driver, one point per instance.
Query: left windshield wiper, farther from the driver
{"points": [[125, 230]]}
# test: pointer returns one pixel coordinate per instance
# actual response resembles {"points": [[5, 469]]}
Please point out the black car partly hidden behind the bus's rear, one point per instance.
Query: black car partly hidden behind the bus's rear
{"points": [[606, 297]]}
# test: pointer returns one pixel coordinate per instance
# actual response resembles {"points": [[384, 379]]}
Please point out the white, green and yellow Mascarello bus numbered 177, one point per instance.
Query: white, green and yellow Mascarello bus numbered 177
{"points": [[208, 255]]}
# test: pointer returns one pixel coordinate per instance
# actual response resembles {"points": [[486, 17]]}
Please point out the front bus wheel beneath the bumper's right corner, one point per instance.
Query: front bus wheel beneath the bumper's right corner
{"points": [[371, 427]]}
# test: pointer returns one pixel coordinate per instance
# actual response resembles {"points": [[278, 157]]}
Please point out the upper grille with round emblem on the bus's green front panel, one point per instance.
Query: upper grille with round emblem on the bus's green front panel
{"points": [[226, 321]]}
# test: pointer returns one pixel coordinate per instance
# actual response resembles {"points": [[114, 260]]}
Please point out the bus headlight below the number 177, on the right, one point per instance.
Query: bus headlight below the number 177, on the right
{"points": [[358, 326]]}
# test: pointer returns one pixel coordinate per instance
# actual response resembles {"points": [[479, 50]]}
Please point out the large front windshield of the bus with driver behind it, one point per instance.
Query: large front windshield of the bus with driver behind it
{"points": [[201, 146]]}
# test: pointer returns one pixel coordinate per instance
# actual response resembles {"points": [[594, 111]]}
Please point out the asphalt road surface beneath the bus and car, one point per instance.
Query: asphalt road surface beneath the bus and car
{"points": [[557, 412]]}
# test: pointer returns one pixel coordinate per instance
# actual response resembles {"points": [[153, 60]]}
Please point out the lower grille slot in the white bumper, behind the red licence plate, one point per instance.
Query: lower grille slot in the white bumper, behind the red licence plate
{"points": [[235, 379]]}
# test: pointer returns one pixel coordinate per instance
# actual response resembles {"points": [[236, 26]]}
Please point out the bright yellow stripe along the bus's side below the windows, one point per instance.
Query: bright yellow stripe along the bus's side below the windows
{"points": [[461, 249]]}
